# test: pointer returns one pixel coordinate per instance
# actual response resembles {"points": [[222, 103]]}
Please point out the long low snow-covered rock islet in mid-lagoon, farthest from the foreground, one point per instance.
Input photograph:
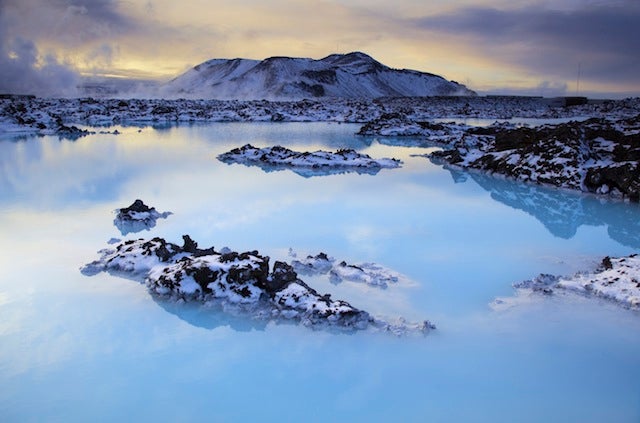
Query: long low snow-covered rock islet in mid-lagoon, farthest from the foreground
{"points": [[307, 163]]}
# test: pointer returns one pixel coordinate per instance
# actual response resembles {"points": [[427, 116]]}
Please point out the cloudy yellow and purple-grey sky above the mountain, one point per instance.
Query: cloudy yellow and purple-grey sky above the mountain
{"points": [[529, 47]]}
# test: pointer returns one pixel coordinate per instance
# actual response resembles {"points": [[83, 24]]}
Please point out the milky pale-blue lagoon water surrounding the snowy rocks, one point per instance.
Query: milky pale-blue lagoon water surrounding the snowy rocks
{"points": [[78, 348]]}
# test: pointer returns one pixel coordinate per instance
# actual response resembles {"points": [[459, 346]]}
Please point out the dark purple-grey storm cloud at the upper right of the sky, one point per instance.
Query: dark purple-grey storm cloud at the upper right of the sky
{"points": [[600, 40]]}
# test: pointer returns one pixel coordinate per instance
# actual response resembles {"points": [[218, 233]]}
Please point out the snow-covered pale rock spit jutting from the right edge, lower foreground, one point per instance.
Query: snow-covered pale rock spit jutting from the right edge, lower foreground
{"points": [[616, 280]]}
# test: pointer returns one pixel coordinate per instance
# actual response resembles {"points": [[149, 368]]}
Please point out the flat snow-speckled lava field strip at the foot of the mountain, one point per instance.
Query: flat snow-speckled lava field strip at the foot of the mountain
{"points": [[30, 115]]}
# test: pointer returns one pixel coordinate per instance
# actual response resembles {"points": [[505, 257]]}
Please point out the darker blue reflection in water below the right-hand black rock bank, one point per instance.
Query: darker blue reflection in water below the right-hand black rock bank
{"points": [[561, 212]]}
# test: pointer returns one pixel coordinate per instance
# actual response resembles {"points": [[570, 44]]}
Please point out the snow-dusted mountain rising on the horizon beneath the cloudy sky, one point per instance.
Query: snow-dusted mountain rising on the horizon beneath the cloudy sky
{"points": [[353, 75]]}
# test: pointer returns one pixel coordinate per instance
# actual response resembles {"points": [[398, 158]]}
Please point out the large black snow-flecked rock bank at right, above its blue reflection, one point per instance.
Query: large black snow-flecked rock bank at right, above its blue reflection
{"points": [[596, 156]]}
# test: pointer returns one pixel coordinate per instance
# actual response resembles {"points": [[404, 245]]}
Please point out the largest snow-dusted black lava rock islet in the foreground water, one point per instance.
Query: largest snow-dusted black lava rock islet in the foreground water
{"points": [[240, 280]]}
